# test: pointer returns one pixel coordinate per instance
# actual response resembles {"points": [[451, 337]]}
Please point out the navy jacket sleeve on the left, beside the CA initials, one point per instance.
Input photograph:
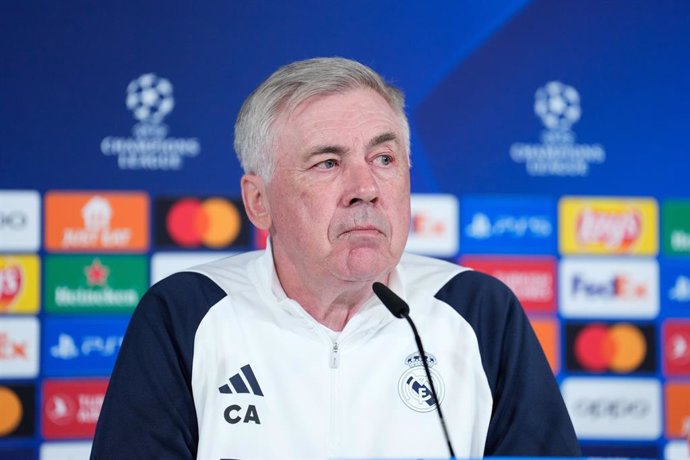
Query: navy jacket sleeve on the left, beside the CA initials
{"points": [[148, 410]]}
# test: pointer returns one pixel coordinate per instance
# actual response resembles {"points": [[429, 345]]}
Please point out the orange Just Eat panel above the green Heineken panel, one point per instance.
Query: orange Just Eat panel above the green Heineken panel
{"points": [[96, 221]]}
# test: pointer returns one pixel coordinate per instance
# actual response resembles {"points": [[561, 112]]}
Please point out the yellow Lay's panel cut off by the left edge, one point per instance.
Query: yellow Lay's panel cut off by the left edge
{"points": [[19, 282]]}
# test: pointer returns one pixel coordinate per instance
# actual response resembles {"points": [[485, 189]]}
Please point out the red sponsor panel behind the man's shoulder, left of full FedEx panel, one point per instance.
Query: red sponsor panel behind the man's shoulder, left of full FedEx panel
{"points": [[532, 279]]}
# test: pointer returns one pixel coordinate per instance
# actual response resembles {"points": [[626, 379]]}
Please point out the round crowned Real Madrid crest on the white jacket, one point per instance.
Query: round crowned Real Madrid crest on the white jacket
{"points": [[414, 388]]}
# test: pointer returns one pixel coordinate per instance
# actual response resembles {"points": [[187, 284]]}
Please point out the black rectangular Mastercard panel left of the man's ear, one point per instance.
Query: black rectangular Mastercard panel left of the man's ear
{"points": [[201, 222]]}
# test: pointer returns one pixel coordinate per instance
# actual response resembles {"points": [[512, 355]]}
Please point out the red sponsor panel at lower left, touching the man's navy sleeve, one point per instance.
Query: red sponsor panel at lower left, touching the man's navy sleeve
{"points": [[71, 407]]}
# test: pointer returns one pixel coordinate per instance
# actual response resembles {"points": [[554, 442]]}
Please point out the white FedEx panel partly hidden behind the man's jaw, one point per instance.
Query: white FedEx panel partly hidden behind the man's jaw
{"points": [[433, 225]]}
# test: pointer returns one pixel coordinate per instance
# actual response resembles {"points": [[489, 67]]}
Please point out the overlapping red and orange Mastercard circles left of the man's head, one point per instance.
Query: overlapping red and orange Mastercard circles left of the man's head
{"points": [[212, 222]]}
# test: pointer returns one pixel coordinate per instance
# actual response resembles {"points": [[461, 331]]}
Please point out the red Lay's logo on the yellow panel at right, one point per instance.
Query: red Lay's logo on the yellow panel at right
{"points": [[613, 229]]}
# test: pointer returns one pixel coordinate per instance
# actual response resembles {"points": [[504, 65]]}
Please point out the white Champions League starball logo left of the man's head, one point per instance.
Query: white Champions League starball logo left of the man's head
{"points": [[150, 98]]}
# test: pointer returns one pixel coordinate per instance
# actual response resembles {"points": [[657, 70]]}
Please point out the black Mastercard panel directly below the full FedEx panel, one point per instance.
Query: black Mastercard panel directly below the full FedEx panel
{"points": [[620, 348]]}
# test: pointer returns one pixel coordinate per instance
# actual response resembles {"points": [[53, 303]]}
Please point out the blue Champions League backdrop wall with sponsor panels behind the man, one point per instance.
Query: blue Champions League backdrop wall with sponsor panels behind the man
{"points": [[550, 145]]}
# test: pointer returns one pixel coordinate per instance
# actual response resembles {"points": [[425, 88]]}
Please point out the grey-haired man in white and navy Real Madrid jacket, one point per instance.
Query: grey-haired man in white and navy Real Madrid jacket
{"points": [[286, 353]]}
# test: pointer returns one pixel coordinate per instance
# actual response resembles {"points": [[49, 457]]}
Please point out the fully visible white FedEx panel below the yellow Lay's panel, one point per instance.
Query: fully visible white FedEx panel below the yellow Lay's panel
{"points": [[609, 288]]}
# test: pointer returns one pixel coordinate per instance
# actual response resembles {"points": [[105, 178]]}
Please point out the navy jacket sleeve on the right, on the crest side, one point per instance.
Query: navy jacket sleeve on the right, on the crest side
{"points": [[529, 417]]}
